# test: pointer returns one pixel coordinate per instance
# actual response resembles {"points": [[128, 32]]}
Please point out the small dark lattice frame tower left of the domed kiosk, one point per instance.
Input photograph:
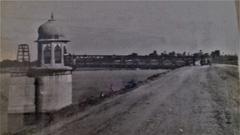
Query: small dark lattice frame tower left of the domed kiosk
{"points": [[23, 54]]}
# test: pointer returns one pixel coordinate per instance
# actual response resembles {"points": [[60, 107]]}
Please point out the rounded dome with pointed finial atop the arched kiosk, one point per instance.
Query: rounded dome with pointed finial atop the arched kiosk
{"points": [[50, 30]]}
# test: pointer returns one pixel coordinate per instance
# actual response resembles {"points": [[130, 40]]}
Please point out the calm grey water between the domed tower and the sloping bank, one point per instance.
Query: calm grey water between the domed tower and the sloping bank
{"points": [[91, 83]]}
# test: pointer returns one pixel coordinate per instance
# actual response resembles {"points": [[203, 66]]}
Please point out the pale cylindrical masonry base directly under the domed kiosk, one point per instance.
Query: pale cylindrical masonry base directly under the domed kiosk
{"points": [[55, 92]]}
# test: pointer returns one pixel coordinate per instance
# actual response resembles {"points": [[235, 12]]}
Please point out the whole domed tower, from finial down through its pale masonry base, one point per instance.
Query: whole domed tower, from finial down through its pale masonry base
{"points": [[52, 80]]}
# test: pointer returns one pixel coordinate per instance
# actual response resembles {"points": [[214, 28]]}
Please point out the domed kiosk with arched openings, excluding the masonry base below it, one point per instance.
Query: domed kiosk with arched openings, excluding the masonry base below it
{"points": [[51, 43]]}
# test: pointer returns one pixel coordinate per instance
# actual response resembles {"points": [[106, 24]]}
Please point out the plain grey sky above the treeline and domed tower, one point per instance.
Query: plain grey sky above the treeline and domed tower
{"points": [[123, 27]]}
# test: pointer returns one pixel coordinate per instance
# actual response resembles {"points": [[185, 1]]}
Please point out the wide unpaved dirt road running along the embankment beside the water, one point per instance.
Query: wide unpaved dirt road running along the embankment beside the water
{"points": [[187, 101]]}
